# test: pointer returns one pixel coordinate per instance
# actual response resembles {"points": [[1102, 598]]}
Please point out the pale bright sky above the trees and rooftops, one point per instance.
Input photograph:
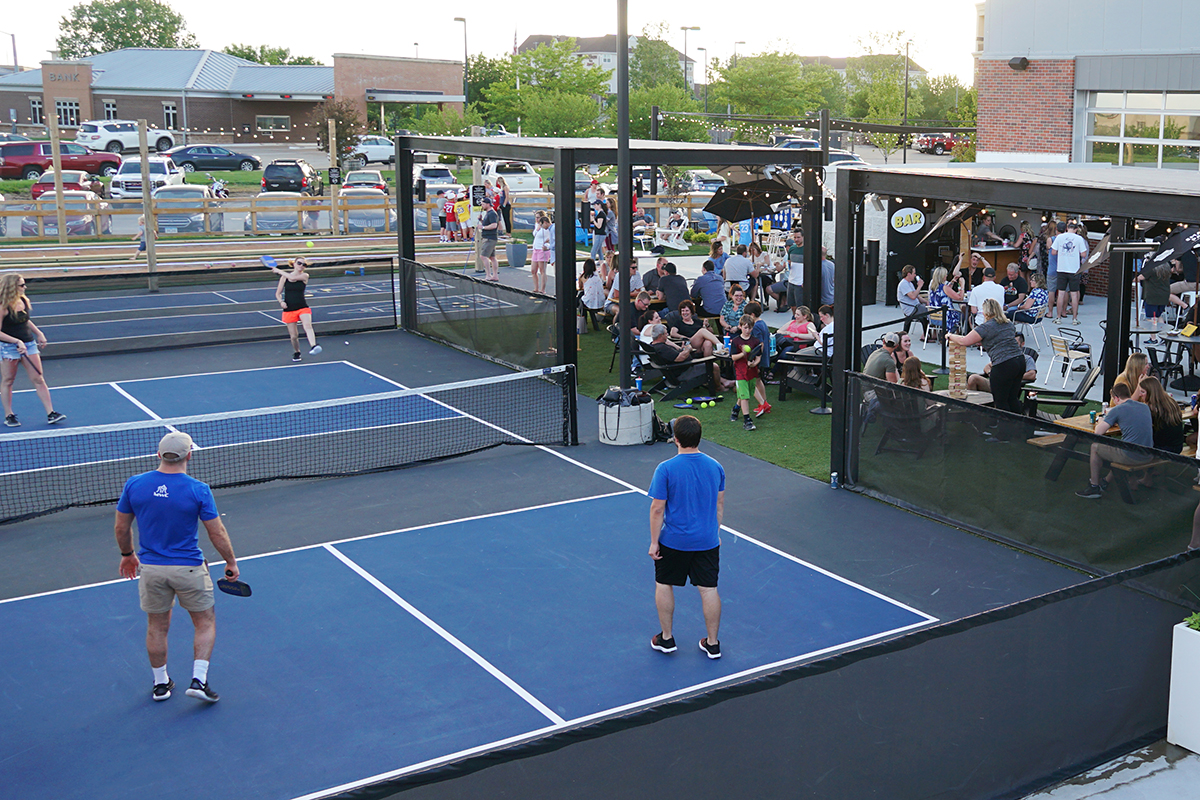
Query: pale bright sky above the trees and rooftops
{"points": [[943, 34]]}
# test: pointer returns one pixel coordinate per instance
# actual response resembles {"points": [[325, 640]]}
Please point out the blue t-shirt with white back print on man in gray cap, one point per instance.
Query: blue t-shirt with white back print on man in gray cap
{"points": [[167, 507]]}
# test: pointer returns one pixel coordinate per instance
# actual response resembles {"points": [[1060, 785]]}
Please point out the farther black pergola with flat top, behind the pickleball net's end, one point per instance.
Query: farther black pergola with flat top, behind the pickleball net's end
{"points": [[566, 155]]}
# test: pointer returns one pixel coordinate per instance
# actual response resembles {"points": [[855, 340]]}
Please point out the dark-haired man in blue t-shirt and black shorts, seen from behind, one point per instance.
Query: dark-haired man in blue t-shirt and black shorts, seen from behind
{"points": [[687, 504]]}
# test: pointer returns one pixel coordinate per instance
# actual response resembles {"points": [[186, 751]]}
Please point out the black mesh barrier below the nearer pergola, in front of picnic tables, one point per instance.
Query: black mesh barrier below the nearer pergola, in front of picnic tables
{"points": [[1015, 479]]}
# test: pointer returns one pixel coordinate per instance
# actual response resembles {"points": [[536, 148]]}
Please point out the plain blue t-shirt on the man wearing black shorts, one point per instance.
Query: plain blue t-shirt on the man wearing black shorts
{"points": [[689, 484]]}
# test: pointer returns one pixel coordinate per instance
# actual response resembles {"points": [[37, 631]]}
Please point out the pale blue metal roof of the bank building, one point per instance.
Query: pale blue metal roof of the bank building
{"points": [[202, 71]]}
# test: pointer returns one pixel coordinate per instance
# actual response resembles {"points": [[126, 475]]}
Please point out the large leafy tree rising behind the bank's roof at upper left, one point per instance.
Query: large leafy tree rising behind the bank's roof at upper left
{"points": [[106, 26]]}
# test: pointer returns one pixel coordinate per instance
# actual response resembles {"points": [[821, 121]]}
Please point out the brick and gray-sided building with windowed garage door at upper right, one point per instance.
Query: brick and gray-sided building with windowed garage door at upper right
{"points": [[1076, 81]]}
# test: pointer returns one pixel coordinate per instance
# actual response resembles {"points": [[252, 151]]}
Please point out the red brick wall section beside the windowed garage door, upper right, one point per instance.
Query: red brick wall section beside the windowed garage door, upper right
{"points": [[1029, 111]]}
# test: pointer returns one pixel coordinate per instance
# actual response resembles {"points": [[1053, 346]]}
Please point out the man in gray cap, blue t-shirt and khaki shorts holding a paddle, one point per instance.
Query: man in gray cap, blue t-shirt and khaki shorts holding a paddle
{"points": [[167, 503]]}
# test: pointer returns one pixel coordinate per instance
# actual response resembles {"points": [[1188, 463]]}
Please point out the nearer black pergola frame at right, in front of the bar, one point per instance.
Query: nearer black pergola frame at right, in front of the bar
{"points": [[1124, 195]]}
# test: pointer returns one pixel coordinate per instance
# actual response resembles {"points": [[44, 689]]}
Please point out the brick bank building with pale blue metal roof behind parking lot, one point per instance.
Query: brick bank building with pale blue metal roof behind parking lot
{"points": [[207, 95]]}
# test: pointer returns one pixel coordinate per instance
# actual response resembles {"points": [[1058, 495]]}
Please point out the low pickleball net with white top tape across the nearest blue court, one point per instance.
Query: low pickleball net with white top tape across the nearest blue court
{"points": [[52, 471]]}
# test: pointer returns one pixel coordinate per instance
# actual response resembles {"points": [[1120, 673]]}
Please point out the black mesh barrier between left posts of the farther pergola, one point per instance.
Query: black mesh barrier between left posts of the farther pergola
{"points": [[508, 326]]}
